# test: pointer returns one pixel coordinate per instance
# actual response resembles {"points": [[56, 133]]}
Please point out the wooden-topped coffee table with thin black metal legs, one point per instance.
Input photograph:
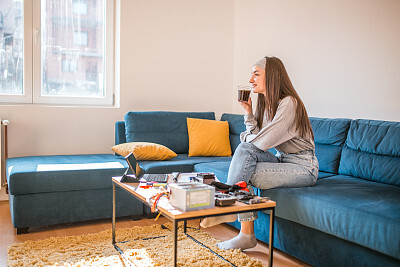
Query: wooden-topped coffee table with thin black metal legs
{"points": [[177, 216]]}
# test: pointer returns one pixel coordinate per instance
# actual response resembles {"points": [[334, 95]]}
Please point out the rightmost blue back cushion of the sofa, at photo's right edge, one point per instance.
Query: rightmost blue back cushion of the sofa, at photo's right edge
{"points": [[372, 151]]}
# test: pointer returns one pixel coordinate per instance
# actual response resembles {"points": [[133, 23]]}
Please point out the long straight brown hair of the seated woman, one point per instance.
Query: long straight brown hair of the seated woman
{"points": [[279, 86]]}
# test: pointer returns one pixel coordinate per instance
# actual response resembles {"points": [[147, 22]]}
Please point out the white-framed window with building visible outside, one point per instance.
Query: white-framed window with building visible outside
{"points": [[60, 57]]}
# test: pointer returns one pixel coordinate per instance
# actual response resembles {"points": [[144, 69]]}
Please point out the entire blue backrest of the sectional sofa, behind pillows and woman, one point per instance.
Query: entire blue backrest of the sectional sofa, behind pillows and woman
{"points": [[365, 149]]}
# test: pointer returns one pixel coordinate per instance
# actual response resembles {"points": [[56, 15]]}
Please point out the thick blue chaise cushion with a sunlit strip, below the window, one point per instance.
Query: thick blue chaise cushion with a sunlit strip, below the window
{"points": [[38, 174]]}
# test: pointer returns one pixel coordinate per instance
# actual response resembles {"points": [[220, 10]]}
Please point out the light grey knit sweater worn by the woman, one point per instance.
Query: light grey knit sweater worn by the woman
{"points": [[279, 133]]}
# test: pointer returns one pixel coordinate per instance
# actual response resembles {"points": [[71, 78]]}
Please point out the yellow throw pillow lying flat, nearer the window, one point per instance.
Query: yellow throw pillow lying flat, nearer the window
{"points": [[144, 151]]}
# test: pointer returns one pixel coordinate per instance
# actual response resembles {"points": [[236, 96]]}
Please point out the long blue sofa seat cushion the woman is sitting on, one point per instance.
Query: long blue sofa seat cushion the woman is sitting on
{"points": [[359, 211]]}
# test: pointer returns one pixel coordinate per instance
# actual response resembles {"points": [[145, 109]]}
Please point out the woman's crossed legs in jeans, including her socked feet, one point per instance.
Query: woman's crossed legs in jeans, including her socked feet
{"points": [[263, 170]]}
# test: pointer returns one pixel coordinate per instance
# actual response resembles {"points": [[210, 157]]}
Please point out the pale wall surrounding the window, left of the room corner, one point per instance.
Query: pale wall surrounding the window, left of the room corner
{"points": [[175, 55]]}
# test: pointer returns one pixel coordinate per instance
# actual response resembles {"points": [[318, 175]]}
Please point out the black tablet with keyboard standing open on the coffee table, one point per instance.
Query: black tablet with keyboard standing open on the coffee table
{"points": [[138, 173]]}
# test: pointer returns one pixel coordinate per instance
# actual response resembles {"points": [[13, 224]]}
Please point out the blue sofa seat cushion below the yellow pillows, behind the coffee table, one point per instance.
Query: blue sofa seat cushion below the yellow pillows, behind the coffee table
{"points": [[181, 163]]}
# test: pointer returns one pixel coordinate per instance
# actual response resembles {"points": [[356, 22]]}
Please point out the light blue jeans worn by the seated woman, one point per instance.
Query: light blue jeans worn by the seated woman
{"points": [[265, 171]]}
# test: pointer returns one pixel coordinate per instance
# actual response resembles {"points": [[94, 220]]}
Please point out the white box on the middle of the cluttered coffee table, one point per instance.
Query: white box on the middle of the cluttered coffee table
{"points": [[192, 196]]}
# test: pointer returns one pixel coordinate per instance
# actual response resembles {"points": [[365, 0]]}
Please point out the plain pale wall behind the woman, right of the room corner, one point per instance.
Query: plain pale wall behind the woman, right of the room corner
{"points": [[343, 57]]}
